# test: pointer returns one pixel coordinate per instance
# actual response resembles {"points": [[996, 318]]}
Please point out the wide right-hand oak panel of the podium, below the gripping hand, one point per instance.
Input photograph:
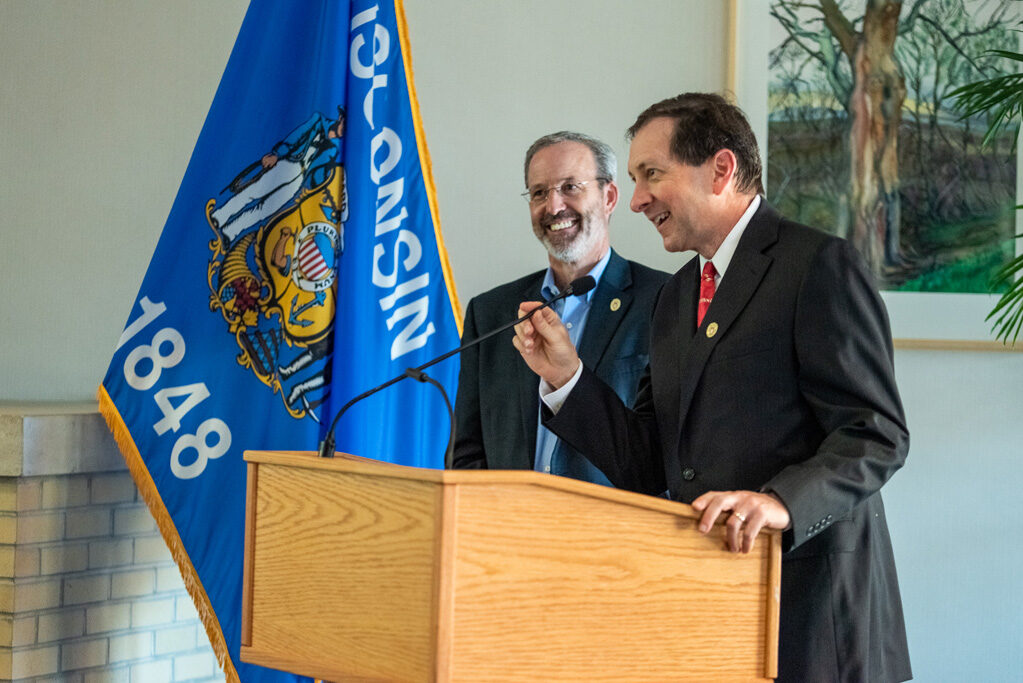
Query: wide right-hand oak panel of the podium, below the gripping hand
{"points": [[570, 587]]}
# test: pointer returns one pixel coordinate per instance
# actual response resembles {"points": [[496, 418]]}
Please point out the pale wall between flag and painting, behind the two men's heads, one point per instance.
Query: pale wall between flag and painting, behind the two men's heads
{"points": [[493, 77]]}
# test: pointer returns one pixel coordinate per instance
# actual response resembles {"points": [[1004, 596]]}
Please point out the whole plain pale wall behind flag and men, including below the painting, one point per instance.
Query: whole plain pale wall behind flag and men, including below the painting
{"points": [[102, 103]]}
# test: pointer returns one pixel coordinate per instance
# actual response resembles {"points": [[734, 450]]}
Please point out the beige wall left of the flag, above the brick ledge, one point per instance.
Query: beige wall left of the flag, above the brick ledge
{"points": [[101, 105]]}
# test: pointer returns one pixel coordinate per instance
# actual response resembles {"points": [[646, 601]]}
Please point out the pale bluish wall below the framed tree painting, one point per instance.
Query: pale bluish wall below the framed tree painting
{"points": [[953, 513]]}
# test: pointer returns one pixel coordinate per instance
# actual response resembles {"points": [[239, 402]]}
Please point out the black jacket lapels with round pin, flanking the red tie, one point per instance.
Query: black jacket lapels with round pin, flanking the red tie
{"points": [[748, 267]]}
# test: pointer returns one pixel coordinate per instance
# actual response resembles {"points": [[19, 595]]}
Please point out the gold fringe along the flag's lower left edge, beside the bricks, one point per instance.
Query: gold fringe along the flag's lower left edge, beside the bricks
{"points": [[151, 495]]}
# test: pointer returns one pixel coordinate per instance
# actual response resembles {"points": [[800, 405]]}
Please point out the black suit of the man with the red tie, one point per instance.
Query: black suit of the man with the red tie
{"points": [[794, 394]]}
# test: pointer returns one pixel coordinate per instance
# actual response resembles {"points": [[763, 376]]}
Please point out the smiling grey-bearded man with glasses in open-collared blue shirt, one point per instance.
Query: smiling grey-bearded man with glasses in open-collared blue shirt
{"points": [[570, 180]]}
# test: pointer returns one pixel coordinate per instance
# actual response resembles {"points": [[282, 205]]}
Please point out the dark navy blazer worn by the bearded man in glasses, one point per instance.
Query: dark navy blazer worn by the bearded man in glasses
{"points": [[497, 408]]}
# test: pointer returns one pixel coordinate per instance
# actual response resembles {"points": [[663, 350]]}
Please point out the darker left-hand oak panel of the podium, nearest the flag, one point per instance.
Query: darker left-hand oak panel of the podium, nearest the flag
{"points": [[346, 575]]}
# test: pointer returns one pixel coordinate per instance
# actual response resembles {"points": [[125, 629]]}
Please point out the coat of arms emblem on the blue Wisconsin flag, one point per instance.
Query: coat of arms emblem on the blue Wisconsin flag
{"points": [[273, 272]]}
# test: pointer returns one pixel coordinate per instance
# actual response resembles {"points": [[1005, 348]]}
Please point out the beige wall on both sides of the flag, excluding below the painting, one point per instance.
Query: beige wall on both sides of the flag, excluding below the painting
{"points": [[102, 103]]}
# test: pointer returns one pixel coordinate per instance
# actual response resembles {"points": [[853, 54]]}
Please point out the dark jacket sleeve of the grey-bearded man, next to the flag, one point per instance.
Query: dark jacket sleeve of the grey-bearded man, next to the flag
{"points": [[469, 451]]}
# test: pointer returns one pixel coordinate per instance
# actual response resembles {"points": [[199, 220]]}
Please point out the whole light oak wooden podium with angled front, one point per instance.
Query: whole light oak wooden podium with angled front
{"points": [[363, 571]]}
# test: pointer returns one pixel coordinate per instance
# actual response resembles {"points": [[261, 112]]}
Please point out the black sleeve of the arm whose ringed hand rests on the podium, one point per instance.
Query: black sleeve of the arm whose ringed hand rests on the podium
{"points": [[847, 376]]}
